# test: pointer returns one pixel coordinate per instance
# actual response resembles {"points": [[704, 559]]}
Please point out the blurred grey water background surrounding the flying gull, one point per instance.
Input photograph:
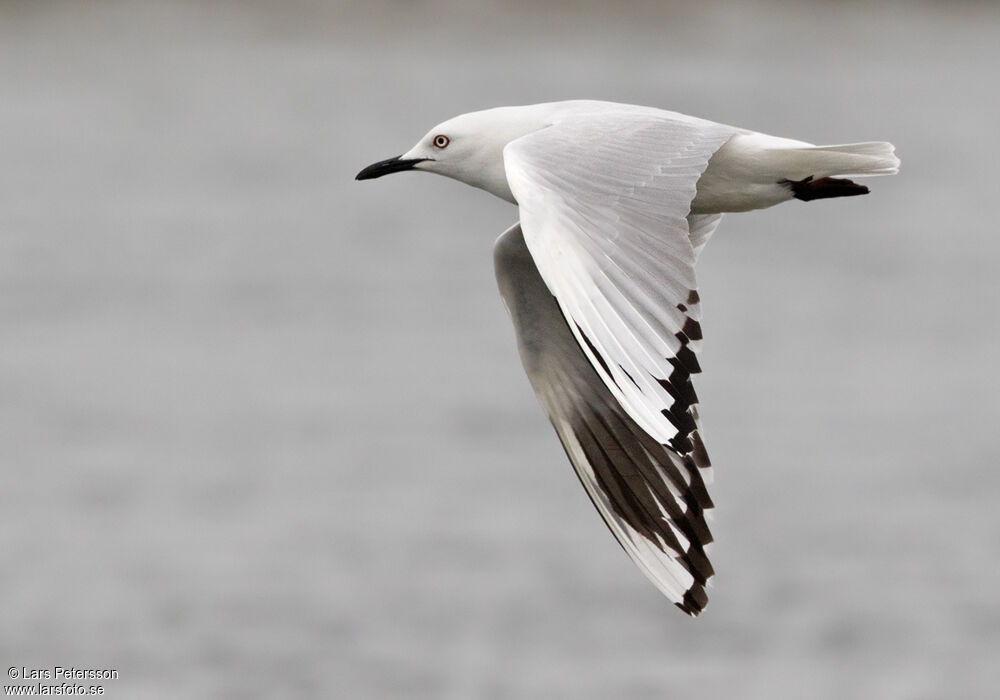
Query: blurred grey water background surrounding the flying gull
{"points": [[264, 432]]}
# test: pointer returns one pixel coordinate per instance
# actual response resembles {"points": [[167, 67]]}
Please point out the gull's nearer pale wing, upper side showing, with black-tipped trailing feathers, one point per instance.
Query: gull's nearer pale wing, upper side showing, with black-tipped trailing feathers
{"points": [[604, 201]]}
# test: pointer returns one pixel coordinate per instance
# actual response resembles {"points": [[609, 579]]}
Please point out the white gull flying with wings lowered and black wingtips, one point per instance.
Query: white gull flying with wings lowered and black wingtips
{"points": [[615, 203]]}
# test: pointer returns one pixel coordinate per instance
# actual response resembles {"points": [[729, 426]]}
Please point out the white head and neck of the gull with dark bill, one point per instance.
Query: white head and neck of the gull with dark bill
{"points": [[468, 148]]}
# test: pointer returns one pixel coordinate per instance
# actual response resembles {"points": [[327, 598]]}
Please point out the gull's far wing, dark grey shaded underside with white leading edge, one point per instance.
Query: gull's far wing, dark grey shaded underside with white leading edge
{"points": [[653, 498]]}
